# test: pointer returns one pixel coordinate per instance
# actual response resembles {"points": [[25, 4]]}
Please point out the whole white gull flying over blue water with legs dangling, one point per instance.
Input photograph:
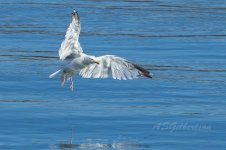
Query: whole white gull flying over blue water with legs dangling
{"points": [[88, 66]]}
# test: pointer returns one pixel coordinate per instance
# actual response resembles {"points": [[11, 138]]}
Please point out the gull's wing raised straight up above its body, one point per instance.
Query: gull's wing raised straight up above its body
{"points": [[70, 47]]}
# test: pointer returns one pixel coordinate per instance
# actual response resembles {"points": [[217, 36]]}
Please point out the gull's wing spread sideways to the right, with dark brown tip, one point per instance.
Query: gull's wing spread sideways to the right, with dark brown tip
{"points": [[115, 67]]}
